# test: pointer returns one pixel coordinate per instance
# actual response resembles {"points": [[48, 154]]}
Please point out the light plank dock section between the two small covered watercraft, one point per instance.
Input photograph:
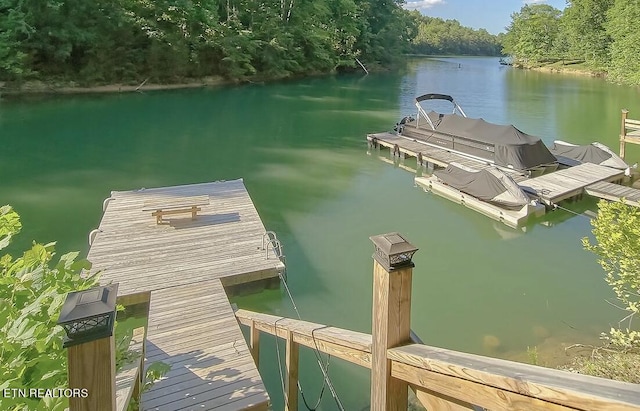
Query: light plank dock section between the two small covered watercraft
{"points": [[570, 182]]}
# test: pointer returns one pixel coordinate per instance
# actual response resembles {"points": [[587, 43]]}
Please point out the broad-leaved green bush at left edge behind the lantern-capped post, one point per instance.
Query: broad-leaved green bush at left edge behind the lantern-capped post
{"points": [[32, 291]]}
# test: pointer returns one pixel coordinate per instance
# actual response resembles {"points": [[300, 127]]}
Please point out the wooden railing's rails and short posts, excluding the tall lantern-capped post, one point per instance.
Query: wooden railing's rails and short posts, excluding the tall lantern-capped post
{"points": [[450, 380]]}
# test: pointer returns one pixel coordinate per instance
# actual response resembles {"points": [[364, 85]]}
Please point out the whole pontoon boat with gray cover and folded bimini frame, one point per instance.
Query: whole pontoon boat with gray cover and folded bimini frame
{"points": [[500, 145]]}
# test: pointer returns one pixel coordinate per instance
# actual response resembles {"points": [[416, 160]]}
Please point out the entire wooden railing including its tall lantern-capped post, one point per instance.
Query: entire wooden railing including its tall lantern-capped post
{"points": [[442, 379]]}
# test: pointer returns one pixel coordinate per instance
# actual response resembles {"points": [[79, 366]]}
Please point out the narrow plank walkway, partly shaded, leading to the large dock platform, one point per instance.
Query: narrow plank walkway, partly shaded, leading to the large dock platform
{"points": [[211, 367]]}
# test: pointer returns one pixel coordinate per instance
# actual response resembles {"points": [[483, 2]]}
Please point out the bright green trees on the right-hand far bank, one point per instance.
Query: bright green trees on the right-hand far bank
{"points": [[604, 34]]}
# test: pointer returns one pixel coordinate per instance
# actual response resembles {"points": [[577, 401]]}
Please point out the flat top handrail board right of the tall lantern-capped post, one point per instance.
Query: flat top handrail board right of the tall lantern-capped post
{"points": [[559, 387]]}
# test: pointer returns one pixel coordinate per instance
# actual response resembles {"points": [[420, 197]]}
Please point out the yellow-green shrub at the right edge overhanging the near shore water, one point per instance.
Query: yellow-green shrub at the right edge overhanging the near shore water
{"points": [[617, 234]]}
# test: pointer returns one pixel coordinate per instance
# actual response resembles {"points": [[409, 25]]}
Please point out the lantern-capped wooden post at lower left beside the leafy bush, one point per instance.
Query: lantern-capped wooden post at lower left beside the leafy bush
{"points": [[88, 319]]}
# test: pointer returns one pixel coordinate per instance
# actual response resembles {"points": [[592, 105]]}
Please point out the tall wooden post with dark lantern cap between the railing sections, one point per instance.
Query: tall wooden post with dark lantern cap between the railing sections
{"points": [[391, 325]]}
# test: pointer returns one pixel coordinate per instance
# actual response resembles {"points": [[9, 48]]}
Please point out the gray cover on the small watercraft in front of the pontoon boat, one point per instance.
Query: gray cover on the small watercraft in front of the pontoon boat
{"points": [[489, 184]]}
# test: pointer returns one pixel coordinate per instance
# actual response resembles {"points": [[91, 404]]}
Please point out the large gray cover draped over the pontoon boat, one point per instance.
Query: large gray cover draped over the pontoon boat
{"points": [[512, 147]]}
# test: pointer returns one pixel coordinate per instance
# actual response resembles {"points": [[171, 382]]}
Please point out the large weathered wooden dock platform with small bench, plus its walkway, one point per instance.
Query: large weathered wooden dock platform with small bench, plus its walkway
{"points": [[180, 265]]}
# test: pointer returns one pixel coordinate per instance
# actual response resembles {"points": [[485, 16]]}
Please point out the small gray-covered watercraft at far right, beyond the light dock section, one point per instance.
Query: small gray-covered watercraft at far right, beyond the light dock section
{"points": [[596, 153]]}
